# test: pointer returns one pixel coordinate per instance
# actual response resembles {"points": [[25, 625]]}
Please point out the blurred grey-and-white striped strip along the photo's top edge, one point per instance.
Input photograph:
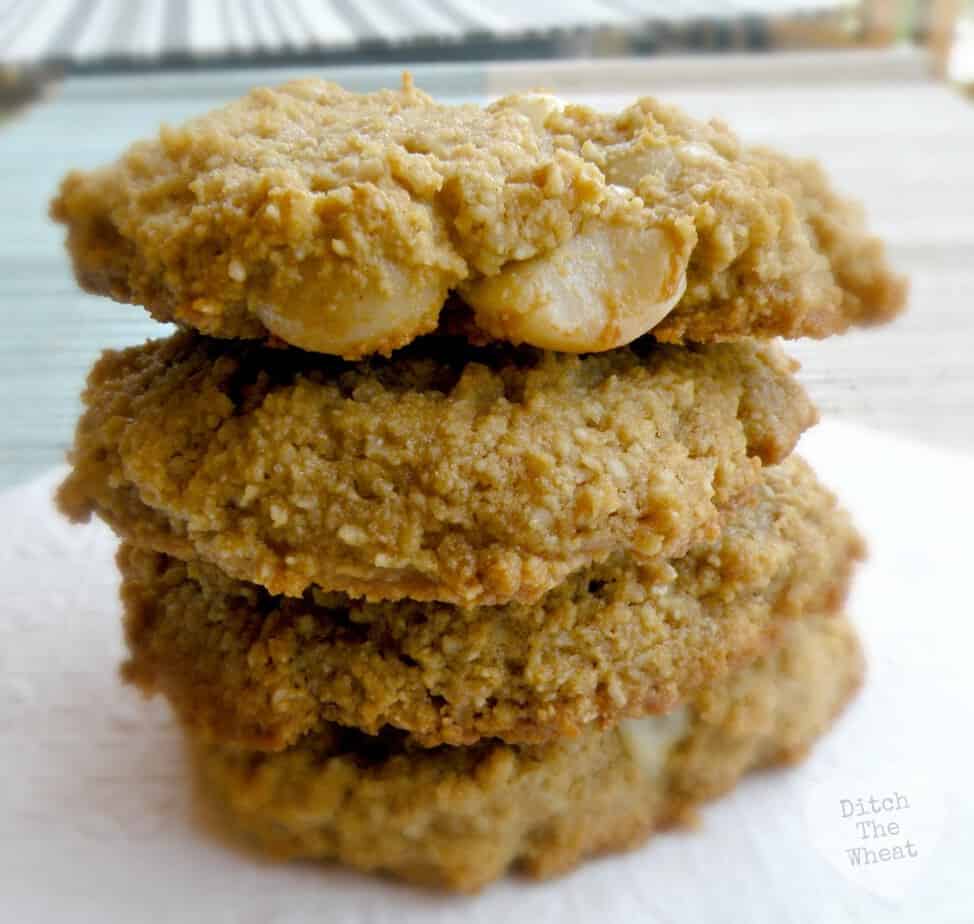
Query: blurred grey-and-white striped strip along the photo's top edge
{"points": [[109, 36]]}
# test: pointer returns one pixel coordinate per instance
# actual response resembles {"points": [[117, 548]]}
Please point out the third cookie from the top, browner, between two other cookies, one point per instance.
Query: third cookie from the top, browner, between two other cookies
{"points": [[244, 667]]}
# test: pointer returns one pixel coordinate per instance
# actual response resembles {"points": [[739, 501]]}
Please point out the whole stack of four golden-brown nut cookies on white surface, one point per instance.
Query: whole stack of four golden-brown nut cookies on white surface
{"points": [[459, 523]]}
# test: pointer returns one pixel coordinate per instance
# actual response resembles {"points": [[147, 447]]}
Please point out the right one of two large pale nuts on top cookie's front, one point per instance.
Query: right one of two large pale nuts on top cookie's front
{"points": [[599, 290]]}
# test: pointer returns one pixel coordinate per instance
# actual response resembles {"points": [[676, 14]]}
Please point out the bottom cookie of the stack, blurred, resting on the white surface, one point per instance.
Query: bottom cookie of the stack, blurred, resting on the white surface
{"points": [[460, 817]]}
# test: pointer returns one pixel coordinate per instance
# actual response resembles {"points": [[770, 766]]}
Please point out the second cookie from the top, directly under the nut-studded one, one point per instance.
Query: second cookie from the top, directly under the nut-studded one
{"points": [[448, 472]]}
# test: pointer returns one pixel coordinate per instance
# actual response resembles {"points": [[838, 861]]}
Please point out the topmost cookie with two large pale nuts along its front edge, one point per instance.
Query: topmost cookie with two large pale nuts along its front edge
{"points": [[340, 222]]}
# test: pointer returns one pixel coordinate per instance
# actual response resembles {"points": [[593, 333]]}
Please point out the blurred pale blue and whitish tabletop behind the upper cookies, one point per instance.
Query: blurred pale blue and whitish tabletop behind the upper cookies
{"points": [[899, 141]]}
